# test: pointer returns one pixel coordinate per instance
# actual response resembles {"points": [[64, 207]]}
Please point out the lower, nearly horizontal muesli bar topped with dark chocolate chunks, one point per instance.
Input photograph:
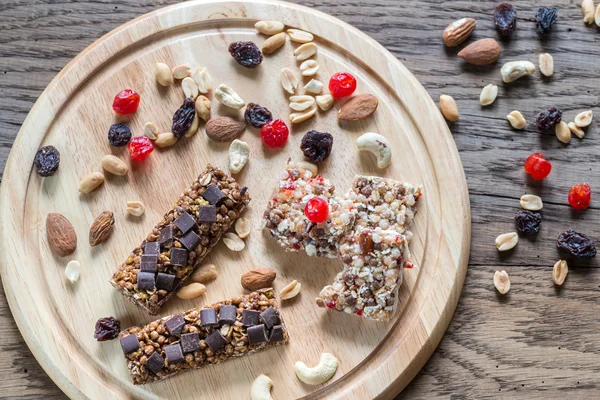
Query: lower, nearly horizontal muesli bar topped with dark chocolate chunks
{"points": [[203, 336]]}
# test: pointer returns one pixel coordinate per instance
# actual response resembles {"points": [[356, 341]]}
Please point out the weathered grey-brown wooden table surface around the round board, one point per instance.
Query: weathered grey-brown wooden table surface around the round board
{"points": [[539, 341]]}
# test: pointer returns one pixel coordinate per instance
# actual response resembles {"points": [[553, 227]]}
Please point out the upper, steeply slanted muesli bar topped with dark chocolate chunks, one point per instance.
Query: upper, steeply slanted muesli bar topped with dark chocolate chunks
{"points": [[155, 269]]}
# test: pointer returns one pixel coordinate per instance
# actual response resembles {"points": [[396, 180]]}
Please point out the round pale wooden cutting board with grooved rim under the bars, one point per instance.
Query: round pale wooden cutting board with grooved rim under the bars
{"points": [[56, 318]]}
